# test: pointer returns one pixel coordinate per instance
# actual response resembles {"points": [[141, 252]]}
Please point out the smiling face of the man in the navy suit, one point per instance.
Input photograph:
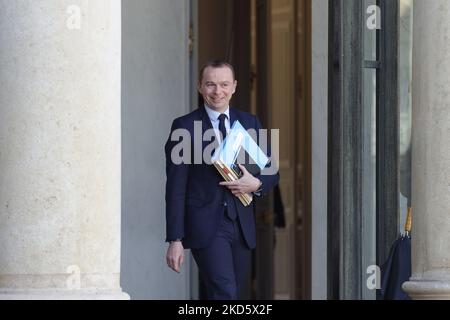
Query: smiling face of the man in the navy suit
{"points": [[217, 87]]}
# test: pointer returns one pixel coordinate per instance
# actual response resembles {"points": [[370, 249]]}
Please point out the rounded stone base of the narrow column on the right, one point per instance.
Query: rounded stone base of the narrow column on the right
{"points": [[427, 289]]}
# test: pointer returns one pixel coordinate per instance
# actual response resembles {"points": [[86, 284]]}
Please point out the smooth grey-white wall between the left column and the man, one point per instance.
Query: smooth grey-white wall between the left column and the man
{"points": [[155, 90]]}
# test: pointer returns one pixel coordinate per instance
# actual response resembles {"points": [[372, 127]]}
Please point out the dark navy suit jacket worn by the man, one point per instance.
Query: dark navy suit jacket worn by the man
{"points": [[195, 202]]}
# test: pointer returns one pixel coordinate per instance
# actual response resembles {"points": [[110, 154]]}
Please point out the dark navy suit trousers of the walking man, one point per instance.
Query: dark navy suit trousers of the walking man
{"points": [[225, 262]]}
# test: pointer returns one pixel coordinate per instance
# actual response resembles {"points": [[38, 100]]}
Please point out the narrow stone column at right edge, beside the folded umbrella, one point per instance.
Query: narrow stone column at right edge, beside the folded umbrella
{"points": [[431, 152]]}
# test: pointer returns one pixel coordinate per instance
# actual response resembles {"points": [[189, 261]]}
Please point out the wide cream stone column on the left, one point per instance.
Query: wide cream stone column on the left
{"points": [[60, 151]]}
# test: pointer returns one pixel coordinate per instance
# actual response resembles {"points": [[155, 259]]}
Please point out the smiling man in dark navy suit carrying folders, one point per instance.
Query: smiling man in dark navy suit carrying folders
{"points": [[203, 212]]}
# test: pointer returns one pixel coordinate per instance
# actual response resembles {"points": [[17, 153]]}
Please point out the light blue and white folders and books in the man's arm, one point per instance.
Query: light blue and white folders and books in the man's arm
{"points": [[239, 148]]}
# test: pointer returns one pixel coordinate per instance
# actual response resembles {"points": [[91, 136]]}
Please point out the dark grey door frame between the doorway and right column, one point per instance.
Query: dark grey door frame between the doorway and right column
{"points": [[346, 62]]}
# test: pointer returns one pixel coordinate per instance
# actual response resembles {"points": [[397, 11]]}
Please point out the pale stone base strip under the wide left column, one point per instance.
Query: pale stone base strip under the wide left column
{"points": [[63, 295]]}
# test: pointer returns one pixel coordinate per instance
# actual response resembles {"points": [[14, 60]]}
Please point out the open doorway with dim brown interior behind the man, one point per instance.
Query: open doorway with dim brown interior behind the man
{"points": [[268, 42]]}
